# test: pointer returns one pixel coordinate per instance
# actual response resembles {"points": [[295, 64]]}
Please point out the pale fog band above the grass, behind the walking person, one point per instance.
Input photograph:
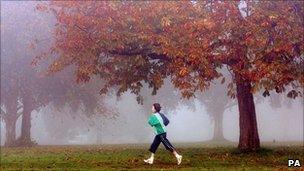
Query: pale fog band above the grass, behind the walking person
{"points": [[186, 125]]}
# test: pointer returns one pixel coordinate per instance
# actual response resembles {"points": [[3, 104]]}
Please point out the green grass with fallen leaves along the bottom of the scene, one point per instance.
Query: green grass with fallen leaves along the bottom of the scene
{"points": [[196, 156]]}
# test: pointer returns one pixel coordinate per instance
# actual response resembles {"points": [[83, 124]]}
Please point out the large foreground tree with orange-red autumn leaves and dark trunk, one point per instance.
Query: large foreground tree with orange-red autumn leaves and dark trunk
{"points": [[127, 43]]}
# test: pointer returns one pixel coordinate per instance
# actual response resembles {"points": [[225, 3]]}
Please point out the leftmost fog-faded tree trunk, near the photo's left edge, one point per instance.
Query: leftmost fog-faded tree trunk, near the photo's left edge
{"points": [[10, 126]]}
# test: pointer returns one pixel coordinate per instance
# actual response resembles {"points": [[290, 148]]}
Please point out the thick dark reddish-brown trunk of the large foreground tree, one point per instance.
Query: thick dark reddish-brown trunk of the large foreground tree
{"points": [[249, 137]]}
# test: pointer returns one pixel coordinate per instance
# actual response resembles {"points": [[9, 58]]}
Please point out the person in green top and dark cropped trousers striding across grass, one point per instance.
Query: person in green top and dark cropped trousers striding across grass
{"points": [[156, 121]]}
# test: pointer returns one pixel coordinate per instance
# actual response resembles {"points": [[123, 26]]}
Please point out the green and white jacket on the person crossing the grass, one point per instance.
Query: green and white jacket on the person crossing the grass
{"points": [[156, 121]]}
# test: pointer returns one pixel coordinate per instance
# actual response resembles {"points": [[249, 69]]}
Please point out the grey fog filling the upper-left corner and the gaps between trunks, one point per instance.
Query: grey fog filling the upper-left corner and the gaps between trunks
{"points": [[189, 119]]}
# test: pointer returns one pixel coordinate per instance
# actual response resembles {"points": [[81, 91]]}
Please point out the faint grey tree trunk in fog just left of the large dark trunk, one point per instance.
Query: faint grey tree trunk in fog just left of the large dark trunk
{"points": [[218, 126]]}
